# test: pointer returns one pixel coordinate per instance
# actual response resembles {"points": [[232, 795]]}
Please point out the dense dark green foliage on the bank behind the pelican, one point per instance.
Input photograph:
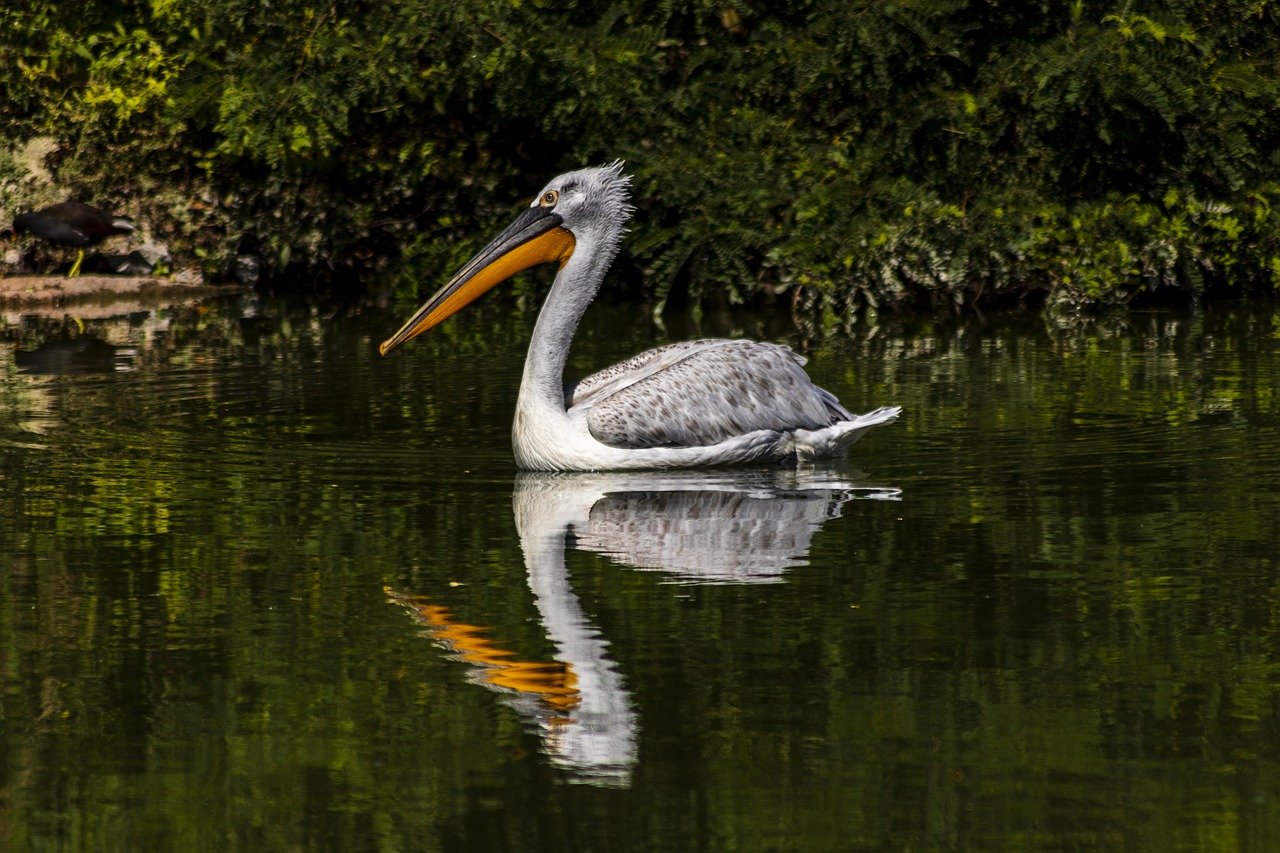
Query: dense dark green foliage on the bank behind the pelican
{"points": [[844, 154]]}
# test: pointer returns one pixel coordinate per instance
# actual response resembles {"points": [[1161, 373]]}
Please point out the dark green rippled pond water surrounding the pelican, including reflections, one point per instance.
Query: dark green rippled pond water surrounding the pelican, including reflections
{"points": [[266, 591]]}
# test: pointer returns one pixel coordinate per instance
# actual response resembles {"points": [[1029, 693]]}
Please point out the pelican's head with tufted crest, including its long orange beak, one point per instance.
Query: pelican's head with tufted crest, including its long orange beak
{"points": [[589, 207]]}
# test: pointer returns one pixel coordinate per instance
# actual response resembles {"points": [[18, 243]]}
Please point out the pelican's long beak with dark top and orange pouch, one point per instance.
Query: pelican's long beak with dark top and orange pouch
{"points": [[536, 238]]}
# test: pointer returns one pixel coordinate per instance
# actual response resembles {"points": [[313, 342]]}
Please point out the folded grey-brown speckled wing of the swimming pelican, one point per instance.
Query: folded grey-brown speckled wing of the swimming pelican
{"points": [[703, 393]]}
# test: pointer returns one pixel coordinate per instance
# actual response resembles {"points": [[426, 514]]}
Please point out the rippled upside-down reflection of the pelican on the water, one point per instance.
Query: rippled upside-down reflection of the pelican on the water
{"points": [[697, 527]]}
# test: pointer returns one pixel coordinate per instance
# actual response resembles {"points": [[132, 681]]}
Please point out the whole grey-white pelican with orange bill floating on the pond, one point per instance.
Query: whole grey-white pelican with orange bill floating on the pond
{"points": [[683, 405]]}
